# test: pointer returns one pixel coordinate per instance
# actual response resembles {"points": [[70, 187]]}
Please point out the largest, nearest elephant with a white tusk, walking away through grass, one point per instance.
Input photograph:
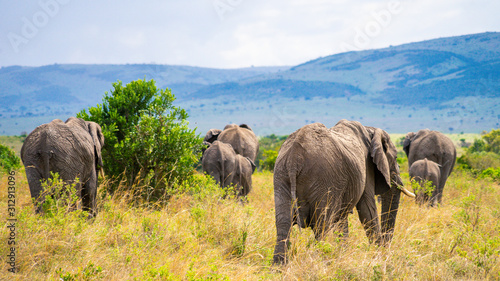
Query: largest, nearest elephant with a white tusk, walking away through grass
{"points": [[321, 174]]}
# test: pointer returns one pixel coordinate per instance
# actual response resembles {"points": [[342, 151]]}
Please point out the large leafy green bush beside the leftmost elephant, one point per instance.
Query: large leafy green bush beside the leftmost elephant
{"points": [[147, 140]]}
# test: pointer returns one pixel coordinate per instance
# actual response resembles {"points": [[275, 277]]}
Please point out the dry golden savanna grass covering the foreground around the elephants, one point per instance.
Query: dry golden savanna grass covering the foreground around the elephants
{"points": [[199, 235]]}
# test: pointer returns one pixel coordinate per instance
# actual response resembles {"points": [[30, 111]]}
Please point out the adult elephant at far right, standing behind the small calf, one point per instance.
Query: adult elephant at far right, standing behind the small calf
{"points": [[436, 147]]}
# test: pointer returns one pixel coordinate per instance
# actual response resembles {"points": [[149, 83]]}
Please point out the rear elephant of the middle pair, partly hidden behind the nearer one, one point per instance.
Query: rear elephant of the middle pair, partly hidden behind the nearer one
{"points": [[241, 138]]}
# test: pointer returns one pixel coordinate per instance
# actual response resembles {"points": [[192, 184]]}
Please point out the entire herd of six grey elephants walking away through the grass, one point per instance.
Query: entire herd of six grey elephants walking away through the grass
{"points": [[321, 174]]}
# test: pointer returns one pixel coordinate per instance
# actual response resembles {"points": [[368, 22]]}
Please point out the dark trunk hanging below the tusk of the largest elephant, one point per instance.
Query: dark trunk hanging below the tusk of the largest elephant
{"points": [[390, 205]]}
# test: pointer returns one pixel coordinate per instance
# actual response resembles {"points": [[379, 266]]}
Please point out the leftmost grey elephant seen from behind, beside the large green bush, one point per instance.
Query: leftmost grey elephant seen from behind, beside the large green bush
{"points": [[72, 149]]}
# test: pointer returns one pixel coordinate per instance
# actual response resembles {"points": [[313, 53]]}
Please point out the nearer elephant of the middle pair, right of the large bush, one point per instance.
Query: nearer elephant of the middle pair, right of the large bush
{"points": [[228, 168]]}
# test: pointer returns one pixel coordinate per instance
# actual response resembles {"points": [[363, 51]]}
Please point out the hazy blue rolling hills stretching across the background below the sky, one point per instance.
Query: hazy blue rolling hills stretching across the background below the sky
{"points": [[448, 84]]}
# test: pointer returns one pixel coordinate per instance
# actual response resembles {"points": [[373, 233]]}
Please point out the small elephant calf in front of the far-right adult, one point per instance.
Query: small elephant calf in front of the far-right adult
{"points": [[425, 171]]}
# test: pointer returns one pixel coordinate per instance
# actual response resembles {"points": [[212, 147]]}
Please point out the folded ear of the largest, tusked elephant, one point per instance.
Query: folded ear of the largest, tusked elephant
{"points": [[381, 153]]}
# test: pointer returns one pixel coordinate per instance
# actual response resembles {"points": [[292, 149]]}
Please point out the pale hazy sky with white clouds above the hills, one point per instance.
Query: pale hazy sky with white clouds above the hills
{"points": [[224, 33]]}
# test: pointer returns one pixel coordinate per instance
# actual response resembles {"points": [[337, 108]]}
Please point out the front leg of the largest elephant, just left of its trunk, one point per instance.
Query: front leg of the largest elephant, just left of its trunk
{"points": [[368, 216]]}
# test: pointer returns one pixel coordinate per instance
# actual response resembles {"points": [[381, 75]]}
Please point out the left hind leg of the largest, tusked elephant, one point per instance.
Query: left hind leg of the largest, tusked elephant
{"points": [[283, 209]]}
